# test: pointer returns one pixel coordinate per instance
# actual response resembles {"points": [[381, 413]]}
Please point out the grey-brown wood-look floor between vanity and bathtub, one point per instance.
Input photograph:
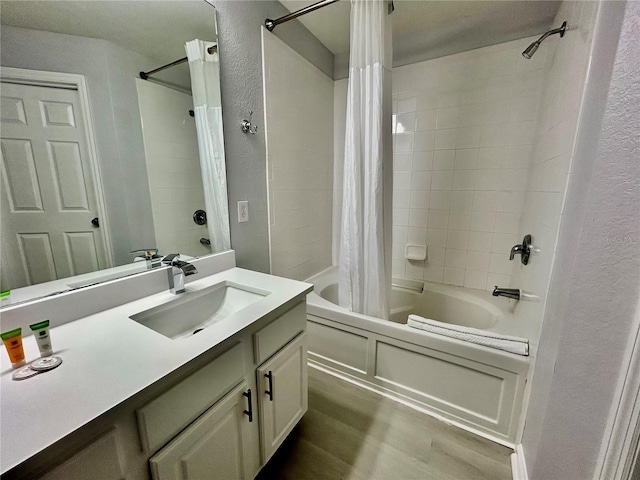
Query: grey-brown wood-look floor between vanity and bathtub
{"points": [[350, 433]]}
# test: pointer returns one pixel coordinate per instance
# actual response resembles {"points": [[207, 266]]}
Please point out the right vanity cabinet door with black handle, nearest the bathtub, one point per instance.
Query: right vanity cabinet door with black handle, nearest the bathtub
{"points": [[282, 382]]}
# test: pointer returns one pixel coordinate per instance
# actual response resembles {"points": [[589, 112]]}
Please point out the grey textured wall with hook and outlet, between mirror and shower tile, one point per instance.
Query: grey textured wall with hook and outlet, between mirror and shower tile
{"points": [[241, 80]]}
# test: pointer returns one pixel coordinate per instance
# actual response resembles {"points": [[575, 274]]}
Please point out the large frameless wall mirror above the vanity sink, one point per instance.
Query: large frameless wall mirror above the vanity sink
{"points": [[98, 163]]}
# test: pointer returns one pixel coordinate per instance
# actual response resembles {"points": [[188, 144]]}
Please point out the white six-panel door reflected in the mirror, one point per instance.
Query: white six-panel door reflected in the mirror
{"points": [[48, 197]]}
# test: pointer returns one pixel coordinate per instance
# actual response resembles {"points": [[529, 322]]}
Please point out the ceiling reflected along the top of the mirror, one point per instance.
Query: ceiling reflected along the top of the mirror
{"points": [[157, 29]]}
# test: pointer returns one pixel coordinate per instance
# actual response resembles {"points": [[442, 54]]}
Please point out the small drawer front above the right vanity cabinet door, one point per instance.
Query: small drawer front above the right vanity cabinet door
{"points": [[274, 336]]}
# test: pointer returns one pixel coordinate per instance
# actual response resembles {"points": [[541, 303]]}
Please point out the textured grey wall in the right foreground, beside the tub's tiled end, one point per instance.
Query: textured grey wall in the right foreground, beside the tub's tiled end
{"points": [[594, 287]]}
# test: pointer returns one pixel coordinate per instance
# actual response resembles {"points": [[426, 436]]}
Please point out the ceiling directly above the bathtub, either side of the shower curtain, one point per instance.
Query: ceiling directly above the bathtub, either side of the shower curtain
{"points": [[330, 24]]}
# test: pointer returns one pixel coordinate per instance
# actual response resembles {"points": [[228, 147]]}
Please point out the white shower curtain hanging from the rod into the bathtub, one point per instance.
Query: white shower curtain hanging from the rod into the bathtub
{"points": [[362, 284]]}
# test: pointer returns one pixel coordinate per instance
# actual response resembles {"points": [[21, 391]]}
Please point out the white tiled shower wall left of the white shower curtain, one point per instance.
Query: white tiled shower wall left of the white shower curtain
{"points": [[299, 131]]}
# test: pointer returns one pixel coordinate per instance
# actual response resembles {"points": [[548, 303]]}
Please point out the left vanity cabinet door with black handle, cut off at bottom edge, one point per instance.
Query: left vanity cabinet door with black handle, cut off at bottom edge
{"points": [[216, 446]]}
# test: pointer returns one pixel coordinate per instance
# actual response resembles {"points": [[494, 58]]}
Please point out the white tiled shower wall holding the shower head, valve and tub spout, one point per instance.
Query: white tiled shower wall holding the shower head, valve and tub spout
{"points": [[565, 73]]}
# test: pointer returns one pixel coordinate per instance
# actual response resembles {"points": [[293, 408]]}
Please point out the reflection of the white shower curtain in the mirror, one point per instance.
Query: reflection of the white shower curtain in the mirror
{"points": [[205, 87]]}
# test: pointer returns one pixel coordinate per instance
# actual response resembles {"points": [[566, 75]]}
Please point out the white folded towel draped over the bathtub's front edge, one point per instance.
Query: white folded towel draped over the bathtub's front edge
{"points": [[517, 345]]}
